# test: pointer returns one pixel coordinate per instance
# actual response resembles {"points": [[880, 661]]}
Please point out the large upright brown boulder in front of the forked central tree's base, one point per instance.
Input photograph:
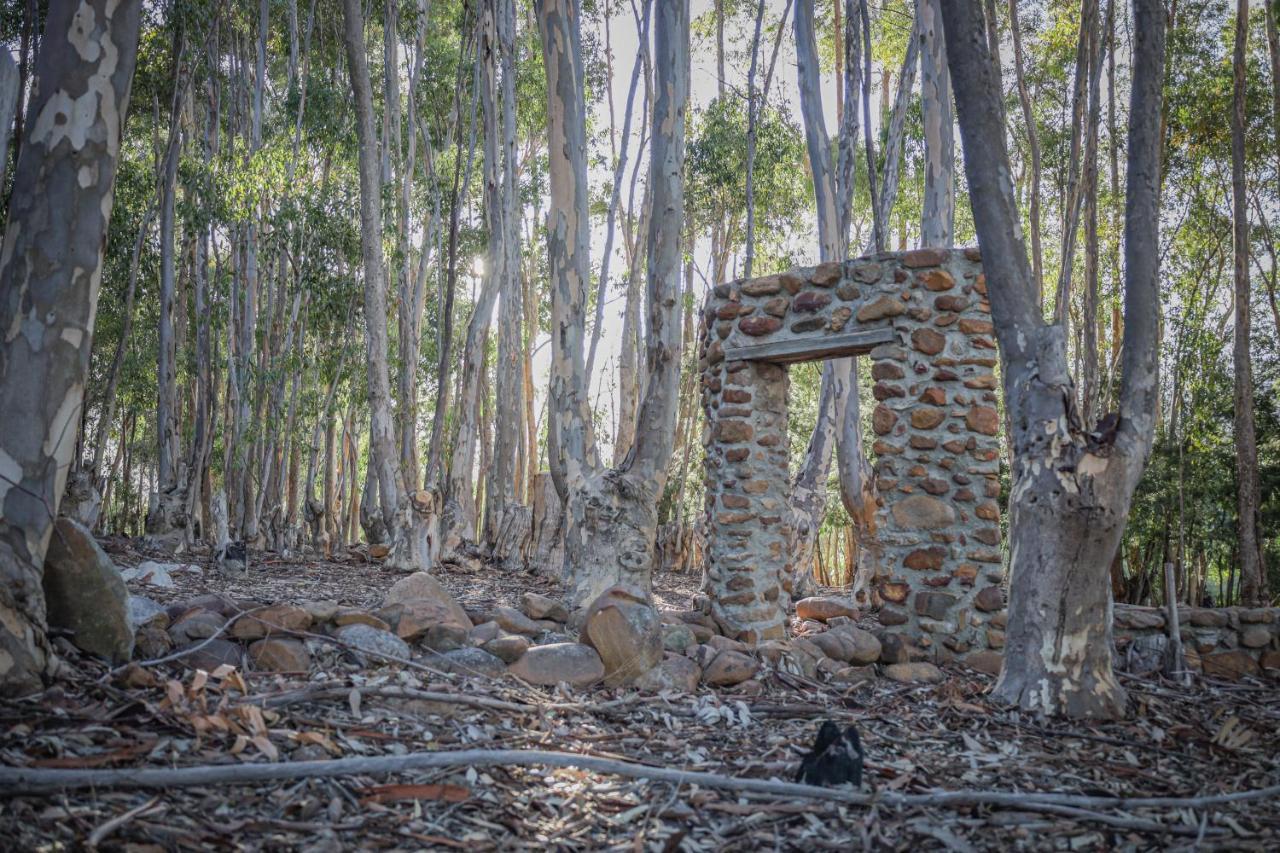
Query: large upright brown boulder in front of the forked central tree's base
{"points": [[625, 630]]}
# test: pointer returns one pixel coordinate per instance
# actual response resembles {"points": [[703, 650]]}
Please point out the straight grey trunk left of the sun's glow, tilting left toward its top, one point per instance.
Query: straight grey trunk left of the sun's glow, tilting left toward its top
{"points": [[383, 459]]}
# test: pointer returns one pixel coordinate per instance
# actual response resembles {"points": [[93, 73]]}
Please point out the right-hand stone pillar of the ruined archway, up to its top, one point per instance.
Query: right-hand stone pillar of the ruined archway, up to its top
{"points": [[938, 460]]}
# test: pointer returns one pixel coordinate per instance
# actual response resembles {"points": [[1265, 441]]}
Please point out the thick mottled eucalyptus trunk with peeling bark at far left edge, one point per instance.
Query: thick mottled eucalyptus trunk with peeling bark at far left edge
{"points": [[51, 273]]}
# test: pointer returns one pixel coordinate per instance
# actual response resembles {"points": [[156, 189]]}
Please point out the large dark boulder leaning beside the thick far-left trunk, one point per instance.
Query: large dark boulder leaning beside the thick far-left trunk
{"points": [[85, 594]]}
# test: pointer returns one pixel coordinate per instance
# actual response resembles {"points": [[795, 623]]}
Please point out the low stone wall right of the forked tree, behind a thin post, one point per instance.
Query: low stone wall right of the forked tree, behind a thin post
{"points": [[1220, 642]]}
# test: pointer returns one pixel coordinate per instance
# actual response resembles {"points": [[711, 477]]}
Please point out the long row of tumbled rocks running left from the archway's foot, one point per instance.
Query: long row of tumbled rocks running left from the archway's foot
{"points": [[620, 640]]}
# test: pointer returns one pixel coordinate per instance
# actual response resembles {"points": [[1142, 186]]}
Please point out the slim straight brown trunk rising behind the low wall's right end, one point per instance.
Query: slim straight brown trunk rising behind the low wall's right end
{"points": [[1247, 504]]}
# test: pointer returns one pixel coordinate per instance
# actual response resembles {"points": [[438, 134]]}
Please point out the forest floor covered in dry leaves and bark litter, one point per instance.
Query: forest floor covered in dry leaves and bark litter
{"points": [[1206, 740]]}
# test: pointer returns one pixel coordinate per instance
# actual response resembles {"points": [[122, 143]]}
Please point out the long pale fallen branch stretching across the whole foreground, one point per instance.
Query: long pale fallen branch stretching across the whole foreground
{"points": [[16, 782]]}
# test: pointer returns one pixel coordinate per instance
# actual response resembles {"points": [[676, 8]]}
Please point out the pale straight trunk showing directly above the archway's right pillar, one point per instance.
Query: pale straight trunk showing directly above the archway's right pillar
{"points": [[938, 218]]}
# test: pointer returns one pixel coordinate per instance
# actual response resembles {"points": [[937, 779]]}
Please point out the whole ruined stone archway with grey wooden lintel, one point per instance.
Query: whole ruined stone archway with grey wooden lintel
{"points": [[925, 321]]}
